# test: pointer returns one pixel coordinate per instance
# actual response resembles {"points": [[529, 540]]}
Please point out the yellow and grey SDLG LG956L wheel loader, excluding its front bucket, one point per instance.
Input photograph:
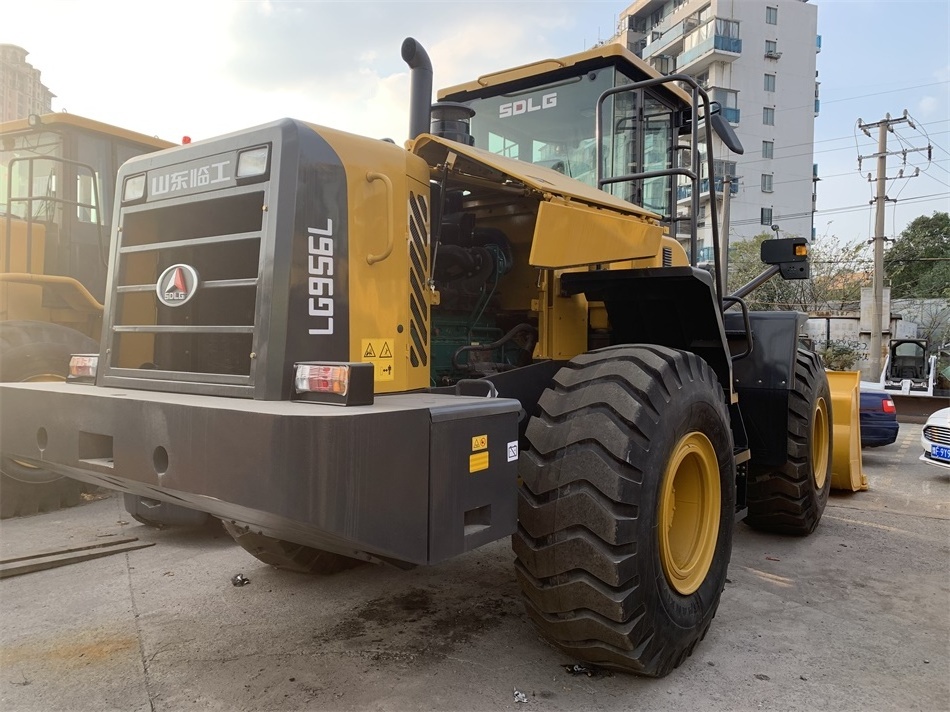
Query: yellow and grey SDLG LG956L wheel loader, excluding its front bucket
{"points": [[353, 351]]}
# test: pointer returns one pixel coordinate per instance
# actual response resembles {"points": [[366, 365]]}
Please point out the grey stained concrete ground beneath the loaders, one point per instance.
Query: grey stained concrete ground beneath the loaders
{"points": [[855, 617]]}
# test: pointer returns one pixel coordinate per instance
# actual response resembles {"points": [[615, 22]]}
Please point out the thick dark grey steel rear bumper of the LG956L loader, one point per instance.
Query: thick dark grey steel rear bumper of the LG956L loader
{"points": [[406, 479]]}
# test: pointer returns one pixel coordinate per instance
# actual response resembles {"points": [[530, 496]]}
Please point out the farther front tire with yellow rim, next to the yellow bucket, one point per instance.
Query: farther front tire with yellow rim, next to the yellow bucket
{"points": [[790, 499]]}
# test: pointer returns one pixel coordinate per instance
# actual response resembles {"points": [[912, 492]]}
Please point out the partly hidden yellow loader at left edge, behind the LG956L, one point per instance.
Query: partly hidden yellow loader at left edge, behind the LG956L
{"points": [[57, 182]]}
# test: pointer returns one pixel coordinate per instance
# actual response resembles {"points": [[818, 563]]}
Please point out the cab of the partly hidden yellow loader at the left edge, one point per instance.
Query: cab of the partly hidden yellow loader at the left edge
{"points": [[57, 184]]}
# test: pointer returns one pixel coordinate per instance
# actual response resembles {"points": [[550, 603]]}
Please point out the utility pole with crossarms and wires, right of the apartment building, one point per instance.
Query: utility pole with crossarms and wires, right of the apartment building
{"points": [[877, 307]]}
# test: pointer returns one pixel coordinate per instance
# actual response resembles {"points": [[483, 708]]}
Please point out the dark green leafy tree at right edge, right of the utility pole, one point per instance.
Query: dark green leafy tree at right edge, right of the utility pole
{"points": [[918, 262]]}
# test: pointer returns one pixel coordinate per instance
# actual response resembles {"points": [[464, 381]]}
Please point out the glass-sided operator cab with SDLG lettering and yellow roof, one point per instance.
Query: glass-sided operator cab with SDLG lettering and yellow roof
{"points": [[546, 113]]}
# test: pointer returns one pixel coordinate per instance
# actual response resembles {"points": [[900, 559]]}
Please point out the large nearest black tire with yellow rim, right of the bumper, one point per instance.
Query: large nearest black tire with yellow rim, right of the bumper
{"points": [[626, 508]]}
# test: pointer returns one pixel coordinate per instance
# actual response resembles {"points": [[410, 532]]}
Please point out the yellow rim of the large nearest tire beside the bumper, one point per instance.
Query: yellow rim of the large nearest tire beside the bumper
{"points": [[690, 499]]}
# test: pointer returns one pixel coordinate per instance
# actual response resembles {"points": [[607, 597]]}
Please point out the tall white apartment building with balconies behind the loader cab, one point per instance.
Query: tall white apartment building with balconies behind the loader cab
{"points": [[757, 59]]}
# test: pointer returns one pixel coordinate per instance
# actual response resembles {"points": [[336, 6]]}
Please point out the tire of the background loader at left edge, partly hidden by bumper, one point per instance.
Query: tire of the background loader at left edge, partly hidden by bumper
{"points": [[37, 351]]}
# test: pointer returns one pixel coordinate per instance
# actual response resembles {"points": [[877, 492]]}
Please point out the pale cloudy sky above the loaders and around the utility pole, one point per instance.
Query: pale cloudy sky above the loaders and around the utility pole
{"points": [[207, 67]]}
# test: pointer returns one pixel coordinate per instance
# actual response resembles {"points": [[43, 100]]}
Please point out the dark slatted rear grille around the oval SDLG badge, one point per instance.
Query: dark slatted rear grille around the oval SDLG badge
{"points": [[210, 338]]}
